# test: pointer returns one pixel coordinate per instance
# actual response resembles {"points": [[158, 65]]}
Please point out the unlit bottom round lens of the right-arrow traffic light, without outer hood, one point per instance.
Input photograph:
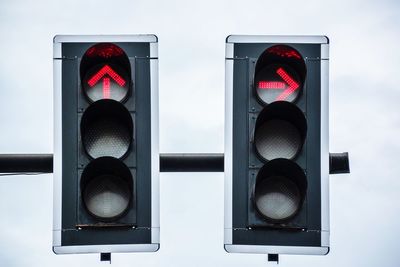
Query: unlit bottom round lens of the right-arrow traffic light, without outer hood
{"points": [[277, 198]]}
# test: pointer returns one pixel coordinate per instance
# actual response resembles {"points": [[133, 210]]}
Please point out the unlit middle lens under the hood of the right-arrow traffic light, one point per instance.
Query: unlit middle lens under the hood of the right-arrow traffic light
{"points": [[278, 139]]}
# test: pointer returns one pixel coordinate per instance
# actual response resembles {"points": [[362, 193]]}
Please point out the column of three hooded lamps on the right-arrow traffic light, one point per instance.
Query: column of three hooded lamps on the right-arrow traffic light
{"points": [[279, 134]]}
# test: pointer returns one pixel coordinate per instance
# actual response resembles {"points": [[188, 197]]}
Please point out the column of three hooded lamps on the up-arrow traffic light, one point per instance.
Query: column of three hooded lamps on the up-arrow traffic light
{"points": [[106, 128]]}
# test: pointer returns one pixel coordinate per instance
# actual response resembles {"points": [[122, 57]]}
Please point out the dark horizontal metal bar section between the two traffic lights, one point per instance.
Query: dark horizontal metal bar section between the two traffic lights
{"points": [[187, 162]]}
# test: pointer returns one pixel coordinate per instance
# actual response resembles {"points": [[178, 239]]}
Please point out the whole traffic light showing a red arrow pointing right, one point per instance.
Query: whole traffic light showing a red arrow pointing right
{"points": [[276, 145]]}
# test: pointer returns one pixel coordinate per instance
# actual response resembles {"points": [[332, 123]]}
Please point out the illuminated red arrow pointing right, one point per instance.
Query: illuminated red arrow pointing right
{"points": [[289, 83]]}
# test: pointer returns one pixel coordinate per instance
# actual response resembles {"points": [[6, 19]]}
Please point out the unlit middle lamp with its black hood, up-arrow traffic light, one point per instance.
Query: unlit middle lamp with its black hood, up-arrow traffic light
{"points": [[106, 129]]}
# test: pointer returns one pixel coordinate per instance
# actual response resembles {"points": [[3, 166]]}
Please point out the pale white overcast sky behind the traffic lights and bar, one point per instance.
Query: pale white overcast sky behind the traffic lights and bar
{"points": [[364, 120]]}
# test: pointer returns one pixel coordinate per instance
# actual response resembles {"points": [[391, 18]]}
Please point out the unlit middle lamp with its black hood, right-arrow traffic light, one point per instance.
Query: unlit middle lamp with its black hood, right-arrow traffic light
{"points": [[280, 131]]}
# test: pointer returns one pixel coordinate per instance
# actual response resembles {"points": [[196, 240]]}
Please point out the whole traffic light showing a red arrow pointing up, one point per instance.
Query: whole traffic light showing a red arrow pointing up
{"points": [[106, 159]]}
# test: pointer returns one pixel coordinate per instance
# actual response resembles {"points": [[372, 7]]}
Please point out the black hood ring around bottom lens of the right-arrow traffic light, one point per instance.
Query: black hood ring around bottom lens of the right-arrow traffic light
{"points": [[291, 171]]}
